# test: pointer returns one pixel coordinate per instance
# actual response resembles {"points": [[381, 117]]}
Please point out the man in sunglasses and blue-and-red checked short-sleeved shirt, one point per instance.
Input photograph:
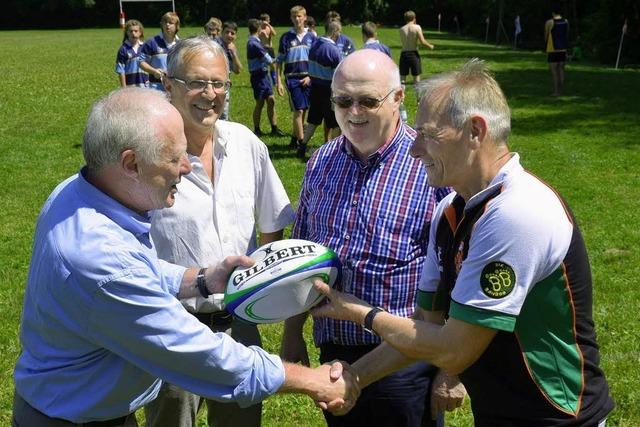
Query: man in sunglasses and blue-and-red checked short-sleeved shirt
{"points": [[366, 198]]}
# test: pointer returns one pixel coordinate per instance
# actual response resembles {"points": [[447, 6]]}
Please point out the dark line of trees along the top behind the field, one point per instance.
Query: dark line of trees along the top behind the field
{"points": [[596, 25]]}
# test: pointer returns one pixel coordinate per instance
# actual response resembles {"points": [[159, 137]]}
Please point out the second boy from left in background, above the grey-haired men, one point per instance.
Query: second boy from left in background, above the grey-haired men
{"points": [[153, 58]]}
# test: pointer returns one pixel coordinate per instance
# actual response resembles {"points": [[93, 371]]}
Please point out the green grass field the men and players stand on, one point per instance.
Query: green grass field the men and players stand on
{"points": [[586, 144]]}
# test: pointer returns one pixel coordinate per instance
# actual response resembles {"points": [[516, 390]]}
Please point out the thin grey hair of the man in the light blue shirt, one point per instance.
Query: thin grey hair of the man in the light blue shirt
{"points": [[121, 121]]}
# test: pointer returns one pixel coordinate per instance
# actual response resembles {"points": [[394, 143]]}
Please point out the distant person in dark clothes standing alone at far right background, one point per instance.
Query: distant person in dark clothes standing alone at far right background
{"points": [[556, 31]]}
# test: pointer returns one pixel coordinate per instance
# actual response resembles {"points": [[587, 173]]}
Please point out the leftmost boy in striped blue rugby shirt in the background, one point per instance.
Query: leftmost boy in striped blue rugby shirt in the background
{"points": [[128, 57]]}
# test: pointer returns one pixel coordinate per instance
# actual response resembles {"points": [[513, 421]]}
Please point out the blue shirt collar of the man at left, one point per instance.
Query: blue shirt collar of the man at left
{"points": [[123, 216]]}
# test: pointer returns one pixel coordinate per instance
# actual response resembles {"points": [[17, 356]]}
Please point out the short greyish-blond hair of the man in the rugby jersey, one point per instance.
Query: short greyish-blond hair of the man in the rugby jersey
{"points": [[469, 91]]}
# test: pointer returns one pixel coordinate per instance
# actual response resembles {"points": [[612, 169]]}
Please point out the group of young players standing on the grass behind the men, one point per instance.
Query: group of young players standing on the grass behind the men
{"points": [[304, 64]]}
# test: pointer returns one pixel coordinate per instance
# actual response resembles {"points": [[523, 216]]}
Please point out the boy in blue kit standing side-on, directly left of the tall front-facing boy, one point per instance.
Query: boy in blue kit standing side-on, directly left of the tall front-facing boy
{"points": [[259, 62]]}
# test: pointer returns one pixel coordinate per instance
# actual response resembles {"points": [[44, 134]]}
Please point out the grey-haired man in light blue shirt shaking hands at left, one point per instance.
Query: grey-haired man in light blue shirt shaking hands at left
{"points": [[102, 323]]}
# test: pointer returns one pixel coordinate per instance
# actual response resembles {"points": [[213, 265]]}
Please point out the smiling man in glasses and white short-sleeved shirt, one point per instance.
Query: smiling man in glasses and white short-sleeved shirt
{"points": [[232, 188]]}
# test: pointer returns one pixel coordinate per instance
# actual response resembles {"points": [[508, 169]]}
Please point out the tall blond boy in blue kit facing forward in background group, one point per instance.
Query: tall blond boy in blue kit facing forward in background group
{"points": [[293, 57]]}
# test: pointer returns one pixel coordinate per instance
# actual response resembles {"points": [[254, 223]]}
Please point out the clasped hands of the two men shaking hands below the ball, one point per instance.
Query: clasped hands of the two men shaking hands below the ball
{"points": [[333, 386]]}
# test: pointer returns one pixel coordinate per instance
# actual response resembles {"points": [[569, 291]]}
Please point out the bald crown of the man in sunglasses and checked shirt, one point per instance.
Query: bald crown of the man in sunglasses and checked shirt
{"points": [[367, 65]]}
